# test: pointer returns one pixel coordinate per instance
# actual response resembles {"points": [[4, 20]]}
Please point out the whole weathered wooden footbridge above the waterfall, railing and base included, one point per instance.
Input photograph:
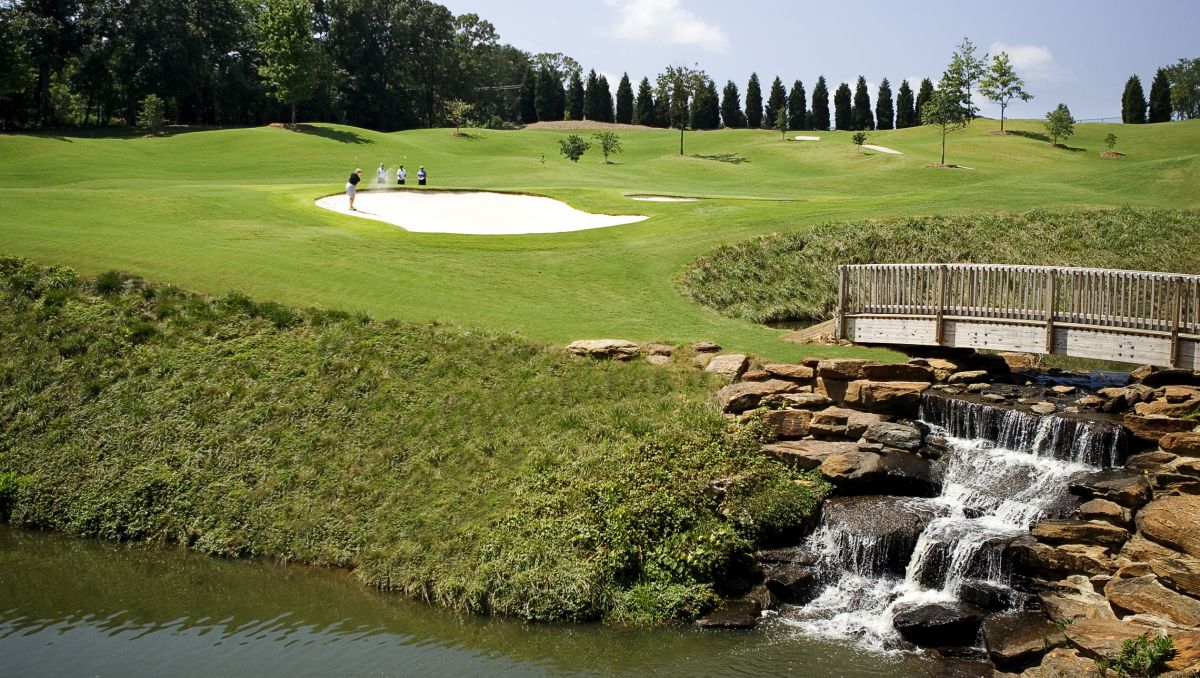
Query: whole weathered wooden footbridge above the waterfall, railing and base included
{"points": [[1125, 316]]}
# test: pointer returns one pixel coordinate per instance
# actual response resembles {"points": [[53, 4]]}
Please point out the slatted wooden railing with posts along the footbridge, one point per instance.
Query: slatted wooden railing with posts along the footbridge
{"points": [[1130, 303]]}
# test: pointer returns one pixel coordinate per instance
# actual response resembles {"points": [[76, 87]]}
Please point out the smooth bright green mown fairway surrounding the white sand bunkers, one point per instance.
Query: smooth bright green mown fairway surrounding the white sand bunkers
{"points": [[224, 211]]}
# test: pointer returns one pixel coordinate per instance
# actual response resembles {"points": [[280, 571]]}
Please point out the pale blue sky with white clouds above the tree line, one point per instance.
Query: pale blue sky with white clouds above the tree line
{"points": [[1079, 53]]}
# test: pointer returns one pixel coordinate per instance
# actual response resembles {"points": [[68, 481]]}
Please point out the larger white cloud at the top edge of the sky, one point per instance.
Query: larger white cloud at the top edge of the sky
{"points": [[665, 22]]}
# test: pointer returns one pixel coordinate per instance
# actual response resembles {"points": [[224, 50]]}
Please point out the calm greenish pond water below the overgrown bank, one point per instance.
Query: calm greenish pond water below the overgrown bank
{"points": [[81, 608]]}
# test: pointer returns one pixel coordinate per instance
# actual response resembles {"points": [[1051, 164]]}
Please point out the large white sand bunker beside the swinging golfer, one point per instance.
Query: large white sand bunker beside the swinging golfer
{"points": [[471, 213]]}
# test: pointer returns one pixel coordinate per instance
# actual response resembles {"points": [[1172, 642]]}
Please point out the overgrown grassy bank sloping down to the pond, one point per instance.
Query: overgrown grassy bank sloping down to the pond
{"points": [[472, 470]]}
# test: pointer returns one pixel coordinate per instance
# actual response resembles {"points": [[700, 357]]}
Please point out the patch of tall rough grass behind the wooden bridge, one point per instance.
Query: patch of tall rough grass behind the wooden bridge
{"points": [[794, 277]]}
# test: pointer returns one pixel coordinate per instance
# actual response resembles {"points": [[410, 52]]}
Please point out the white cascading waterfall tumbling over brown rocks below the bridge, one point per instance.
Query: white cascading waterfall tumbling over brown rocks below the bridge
{"points": [[1004, 471]]}
